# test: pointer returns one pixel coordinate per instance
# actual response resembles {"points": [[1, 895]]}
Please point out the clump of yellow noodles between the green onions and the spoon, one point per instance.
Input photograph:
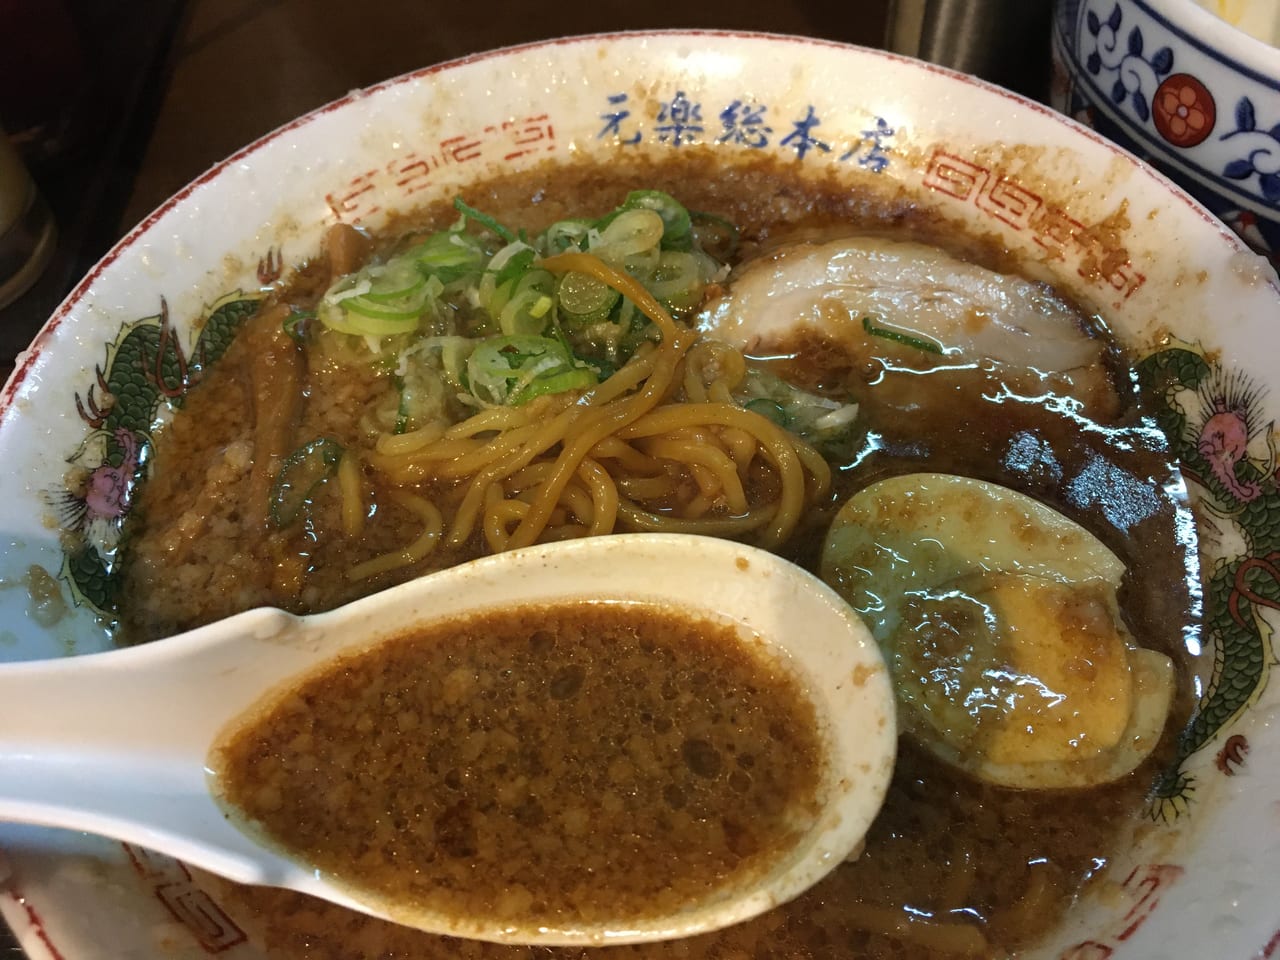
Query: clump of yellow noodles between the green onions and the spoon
{"points": [[574, 451]]}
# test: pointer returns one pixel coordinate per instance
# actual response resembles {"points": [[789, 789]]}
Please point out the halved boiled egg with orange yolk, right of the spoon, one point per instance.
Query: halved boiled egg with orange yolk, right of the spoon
{"points": [[1000, 621]]}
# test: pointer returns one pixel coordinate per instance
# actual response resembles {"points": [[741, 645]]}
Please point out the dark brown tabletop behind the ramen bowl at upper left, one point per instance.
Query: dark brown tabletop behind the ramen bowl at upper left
{"points": [[117, 104]]}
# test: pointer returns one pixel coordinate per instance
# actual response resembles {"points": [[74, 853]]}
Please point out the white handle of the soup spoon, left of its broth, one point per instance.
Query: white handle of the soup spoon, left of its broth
{"points": [[117, 743]]}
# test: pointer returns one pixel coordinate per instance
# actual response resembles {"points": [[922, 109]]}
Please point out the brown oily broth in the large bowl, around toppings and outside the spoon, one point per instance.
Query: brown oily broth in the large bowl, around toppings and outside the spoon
{"points": [[952, 866]]}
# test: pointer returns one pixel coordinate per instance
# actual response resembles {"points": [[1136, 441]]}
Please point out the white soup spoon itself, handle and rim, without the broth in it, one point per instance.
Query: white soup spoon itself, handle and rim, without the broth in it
{"points": [[118, 743]]}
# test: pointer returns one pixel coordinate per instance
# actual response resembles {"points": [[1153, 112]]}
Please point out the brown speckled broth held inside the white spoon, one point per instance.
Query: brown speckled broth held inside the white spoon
{"points": [[541, 766]]}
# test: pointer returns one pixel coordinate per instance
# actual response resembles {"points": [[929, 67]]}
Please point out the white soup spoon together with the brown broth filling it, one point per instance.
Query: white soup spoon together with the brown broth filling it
{"points": [[597, 742]]}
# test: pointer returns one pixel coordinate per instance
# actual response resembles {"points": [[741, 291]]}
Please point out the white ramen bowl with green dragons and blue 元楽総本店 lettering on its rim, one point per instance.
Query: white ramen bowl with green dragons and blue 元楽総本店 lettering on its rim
{"points": [[1196, 872]]}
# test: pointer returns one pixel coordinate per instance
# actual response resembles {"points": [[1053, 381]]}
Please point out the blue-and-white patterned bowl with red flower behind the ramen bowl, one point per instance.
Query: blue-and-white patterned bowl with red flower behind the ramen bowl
{"points": [[1186, 92]]}
